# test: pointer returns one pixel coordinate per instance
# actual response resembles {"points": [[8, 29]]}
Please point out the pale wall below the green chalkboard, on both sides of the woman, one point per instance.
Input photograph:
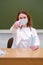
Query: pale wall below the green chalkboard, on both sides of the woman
{"points": [[5, 35]]}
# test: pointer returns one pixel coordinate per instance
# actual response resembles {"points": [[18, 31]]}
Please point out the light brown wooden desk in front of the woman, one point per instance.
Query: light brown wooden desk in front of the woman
{"points": [[22, 56]]}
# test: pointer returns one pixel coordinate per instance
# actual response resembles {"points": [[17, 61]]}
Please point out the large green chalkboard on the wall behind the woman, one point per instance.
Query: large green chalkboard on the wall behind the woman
{"points": [[10, 8]]}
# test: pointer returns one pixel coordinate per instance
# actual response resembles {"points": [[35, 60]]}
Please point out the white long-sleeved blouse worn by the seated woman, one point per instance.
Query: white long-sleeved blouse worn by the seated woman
{"points": [[24, 37]]}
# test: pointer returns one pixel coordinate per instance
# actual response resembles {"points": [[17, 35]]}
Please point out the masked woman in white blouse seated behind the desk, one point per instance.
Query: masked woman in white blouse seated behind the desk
{"points": [[25, 35]]}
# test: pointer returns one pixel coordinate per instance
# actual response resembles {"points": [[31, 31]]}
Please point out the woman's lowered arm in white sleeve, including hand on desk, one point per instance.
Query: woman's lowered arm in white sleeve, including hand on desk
{"points": [[36, 42]]}
